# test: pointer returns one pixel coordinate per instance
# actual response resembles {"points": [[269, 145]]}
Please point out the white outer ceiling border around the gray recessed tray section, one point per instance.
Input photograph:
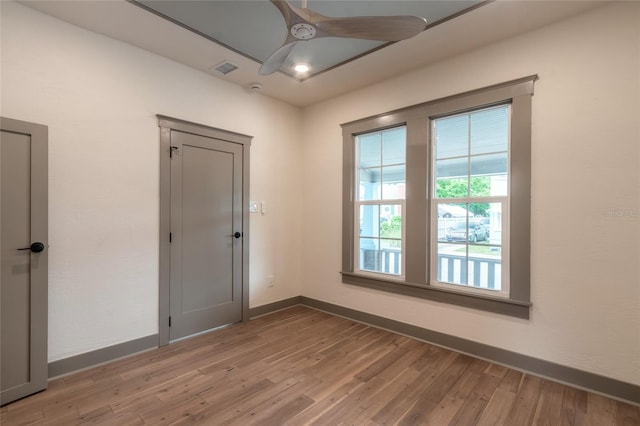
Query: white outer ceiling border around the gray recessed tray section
{"points": [[492, 22]]}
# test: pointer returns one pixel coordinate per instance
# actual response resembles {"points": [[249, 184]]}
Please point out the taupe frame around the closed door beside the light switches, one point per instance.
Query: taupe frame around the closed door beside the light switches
{"points": [[167, 124]]}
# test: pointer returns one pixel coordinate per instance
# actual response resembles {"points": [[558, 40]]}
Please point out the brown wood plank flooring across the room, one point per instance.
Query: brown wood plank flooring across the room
{"points": [[304, 367]]}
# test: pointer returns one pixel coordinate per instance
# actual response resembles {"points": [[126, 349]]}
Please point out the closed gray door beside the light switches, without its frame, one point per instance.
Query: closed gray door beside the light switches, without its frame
{"points": [[206, 234]]}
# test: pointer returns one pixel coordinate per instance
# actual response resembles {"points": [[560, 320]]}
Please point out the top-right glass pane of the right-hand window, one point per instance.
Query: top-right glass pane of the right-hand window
{"points": [[490, 130]]}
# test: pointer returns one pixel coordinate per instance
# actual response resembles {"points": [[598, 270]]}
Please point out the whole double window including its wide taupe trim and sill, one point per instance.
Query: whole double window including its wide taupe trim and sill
{"points": [[436, 199]]}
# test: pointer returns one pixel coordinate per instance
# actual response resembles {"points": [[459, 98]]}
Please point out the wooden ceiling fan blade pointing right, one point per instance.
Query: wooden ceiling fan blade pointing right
{"points": [[382, 28]]}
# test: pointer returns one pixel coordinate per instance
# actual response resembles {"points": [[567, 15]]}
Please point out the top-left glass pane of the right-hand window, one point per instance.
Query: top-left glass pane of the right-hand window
{"points": [[452, 136]]}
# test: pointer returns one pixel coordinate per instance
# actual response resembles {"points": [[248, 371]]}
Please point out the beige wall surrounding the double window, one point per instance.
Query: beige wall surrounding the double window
{"points": [[586, 162]]}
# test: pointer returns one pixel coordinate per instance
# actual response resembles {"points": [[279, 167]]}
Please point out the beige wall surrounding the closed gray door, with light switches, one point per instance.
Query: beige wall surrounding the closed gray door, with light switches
{"points": [[99, 98]]}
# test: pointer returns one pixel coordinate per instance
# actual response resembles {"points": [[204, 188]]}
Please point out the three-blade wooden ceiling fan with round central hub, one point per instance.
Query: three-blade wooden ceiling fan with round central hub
{"points": [[304, 24]]}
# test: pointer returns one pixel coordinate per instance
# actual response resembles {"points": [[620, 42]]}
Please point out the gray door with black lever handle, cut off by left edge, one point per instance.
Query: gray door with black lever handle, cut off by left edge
{"points": [[23, 286]]}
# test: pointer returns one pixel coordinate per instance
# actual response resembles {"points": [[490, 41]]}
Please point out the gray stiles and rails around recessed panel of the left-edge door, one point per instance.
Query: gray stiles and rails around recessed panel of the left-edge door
{"points": [[39, 332]]}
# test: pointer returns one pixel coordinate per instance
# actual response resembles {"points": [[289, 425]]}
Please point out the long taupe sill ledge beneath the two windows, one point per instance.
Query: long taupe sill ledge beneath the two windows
{"points": [[498, 305]]}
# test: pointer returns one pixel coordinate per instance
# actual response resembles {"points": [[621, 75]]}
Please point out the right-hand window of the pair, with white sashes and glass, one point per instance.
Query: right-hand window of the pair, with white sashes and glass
{"points": [[470, 153]]}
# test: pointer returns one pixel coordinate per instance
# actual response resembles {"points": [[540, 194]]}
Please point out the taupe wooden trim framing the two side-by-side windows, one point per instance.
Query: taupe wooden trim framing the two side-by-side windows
{"points": [[418, 247]]}
